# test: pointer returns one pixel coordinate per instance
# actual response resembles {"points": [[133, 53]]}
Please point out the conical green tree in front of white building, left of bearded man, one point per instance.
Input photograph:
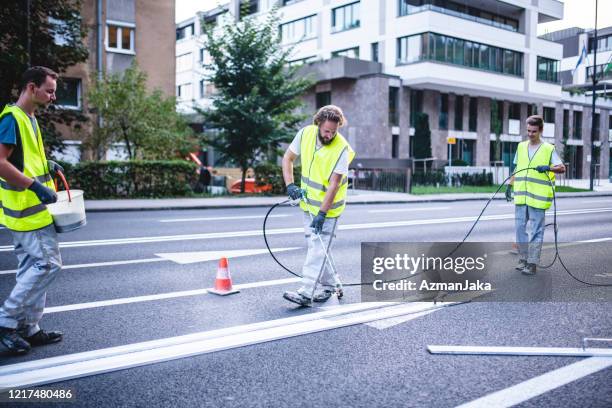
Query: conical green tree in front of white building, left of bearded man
{"points": [[257, 93]]}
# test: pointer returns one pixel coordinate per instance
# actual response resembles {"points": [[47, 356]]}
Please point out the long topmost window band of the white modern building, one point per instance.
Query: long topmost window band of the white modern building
{"points": [[464, 11]]}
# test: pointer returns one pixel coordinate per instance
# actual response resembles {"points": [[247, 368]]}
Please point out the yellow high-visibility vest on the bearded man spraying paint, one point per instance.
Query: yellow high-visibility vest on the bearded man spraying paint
{"points": [[317, 167]]}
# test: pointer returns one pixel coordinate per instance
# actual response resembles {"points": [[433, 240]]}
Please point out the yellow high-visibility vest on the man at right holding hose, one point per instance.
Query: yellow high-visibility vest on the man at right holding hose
{"points": [[530, 186]]}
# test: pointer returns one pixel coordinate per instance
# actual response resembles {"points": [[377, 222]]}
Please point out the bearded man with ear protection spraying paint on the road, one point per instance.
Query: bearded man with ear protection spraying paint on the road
{"points": [[325, 156]]}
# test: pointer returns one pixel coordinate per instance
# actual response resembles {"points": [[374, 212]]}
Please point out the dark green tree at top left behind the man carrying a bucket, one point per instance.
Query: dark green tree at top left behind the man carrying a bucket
{"points": [[52, 34]]}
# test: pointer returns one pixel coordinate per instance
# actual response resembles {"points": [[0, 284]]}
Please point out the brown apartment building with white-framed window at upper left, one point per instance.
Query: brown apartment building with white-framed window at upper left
{"points": [[119, 32]]}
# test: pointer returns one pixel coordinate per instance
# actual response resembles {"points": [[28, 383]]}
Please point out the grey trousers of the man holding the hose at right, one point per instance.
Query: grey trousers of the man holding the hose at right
{"points": [[530, 225]]}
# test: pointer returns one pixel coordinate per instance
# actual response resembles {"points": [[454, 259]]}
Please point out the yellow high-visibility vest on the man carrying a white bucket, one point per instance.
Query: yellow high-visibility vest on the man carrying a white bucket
{"points": [[22, 209]]}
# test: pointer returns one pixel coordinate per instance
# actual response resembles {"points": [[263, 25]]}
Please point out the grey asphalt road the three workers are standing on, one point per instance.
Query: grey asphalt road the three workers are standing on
{"points": [[128, 281]]}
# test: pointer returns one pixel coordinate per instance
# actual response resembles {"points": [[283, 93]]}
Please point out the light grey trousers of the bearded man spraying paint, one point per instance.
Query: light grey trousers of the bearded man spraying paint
{"points": [[316, 262]]}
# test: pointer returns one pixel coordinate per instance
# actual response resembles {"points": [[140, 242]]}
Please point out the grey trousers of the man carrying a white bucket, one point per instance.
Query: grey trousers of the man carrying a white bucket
{"points": [[39, 263]]}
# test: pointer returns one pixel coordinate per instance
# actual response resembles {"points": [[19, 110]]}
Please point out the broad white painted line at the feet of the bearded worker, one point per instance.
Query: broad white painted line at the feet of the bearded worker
{"points": [[63, 368]]}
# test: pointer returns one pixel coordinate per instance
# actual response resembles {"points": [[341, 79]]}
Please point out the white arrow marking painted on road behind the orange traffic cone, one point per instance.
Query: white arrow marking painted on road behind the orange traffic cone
{"points": [[177, 257]]}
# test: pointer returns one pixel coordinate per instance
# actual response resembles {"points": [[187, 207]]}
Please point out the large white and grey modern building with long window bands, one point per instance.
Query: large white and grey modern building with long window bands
{"points": [[459, 62]]}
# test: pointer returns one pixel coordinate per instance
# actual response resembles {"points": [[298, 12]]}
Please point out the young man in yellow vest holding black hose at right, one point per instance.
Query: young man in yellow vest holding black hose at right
{"points": [[533, 192]]}
